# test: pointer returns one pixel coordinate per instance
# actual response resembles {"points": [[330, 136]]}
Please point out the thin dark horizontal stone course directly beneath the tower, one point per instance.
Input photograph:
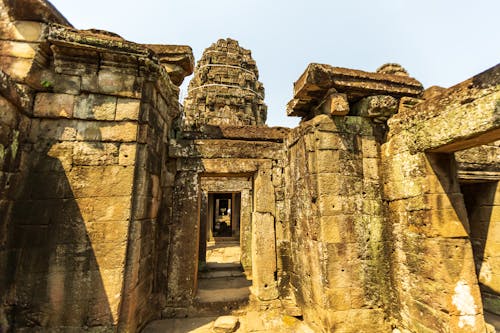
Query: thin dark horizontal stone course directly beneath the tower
{"points": [[247, 133]]}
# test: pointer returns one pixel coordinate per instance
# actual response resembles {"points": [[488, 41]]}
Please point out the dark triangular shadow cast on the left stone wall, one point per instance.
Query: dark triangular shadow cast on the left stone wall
{"points": [[53, 276]]}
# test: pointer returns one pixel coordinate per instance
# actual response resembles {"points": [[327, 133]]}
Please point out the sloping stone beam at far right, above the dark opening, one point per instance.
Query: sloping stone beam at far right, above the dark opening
{"points": [[465, 115]]}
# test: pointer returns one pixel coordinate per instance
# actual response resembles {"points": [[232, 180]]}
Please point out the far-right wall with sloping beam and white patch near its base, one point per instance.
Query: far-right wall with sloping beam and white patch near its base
{"points": [[433, 261]]}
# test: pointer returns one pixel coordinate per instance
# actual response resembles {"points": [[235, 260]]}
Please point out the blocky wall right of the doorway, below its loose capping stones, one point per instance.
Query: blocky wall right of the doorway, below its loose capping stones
{"points": [[337, 225]]}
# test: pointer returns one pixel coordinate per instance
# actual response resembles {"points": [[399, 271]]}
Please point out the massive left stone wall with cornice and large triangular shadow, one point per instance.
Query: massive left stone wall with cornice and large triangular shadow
{"points": [[83, 229]]}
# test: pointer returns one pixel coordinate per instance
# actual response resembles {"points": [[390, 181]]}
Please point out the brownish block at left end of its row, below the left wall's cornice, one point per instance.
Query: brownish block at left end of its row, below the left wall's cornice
{"points": [[51, 105]]}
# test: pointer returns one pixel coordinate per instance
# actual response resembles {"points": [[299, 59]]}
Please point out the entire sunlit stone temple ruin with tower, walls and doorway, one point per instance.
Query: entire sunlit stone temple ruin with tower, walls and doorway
{"points": [[380, 211]]}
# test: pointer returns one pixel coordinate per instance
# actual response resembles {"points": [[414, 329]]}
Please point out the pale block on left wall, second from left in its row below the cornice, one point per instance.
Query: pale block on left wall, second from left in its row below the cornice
{"points": [[92, 106]]}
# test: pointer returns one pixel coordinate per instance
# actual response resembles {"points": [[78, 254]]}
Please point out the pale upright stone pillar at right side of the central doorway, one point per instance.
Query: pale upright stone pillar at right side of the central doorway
{"points": [[264, 238]]}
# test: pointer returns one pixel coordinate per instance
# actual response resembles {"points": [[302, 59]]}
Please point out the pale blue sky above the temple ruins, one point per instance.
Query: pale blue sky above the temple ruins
{"points": [[439, 42]]}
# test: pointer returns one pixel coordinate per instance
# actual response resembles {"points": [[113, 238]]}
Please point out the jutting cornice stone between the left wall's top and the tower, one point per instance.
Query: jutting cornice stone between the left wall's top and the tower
{"points": [[177, 59]]}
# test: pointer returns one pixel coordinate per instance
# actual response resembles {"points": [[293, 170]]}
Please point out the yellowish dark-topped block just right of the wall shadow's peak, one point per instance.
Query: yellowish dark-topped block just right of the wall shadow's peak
{"points": [[95, 153]]}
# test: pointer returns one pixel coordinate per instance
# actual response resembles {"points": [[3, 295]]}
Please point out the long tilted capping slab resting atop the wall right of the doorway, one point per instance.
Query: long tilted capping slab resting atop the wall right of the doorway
{"points": [[312, 86]]}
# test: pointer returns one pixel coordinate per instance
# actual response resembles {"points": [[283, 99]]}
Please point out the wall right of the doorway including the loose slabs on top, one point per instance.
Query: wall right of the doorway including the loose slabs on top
{"points": [[338, 227]]}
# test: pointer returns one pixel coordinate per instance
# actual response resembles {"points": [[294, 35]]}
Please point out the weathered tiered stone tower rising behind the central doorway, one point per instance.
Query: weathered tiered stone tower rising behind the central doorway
{"points": [[225, 89]]}
